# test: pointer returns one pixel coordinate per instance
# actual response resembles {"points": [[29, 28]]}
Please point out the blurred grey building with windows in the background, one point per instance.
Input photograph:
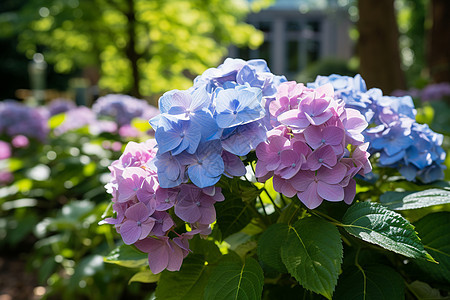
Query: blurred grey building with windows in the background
{"points": [[300, 32]]}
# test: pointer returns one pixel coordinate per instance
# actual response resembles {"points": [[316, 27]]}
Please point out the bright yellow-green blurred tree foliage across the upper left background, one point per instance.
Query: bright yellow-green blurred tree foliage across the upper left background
{"points": [[171, 40]]}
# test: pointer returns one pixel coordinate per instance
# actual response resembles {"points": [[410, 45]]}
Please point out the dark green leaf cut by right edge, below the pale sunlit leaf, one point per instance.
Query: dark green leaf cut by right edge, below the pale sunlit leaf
{"points": [[434, 229]]}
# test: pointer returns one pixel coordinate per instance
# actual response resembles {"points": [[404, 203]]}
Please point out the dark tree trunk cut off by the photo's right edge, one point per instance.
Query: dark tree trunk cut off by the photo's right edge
{"points": [[439, 41]]}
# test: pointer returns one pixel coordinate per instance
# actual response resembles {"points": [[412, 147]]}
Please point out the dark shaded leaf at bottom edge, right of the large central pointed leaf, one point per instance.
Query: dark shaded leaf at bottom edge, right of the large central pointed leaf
{"points": [[372, 282]]}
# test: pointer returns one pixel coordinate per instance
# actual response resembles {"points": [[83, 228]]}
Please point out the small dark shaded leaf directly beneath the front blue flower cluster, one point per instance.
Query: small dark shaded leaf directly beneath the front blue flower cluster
{"points": [[232, 214]]}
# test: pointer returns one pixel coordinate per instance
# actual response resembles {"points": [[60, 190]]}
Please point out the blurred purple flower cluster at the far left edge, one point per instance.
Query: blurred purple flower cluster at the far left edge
{"points": [[18, 119]]}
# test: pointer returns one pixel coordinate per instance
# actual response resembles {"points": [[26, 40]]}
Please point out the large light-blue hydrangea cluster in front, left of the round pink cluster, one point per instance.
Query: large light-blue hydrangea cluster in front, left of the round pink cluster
{"points": [[202, 131]]}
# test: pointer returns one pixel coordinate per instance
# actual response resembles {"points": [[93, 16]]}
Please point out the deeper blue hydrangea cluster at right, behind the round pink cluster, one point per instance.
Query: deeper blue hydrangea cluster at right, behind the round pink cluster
{"points": [[401, 142]]}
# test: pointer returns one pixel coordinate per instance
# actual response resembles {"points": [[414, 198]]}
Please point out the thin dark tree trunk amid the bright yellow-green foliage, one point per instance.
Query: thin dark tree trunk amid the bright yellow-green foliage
{"points": [[130, 51]]}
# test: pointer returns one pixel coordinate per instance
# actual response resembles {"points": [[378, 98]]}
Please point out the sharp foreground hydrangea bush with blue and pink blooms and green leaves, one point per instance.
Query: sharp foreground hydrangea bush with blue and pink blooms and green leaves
{"points": [[255, 186]]}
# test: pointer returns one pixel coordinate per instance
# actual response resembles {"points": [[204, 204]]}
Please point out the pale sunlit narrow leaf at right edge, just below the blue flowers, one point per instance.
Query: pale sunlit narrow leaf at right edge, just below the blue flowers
{"points": [[409, 200]]}
